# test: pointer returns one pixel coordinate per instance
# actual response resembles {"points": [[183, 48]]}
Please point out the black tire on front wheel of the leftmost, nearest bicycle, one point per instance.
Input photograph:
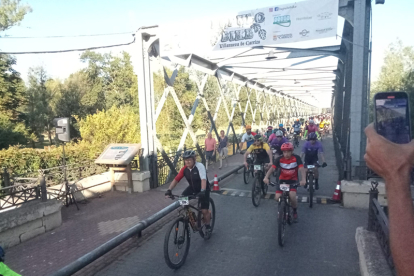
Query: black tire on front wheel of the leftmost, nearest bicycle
{"points": [[186, 235]]}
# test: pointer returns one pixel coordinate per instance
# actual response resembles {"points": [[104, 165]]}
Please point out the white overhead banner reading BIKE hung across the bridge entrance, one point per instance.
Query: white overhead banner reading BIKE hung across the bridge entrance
{"points": [[289, 23]]}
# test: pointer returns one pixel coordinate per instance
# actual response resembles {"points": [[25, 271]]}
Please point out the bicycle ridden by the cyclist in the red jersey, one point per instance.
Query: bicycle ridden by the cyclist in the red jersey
{"points": [[285, 212]]}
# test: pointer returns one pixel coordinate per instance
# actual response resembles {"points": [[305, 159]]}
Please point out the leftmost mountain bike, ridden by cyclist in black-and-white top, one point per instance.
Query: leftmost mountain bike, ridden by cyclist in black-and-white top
{"points": [[180, 229]]}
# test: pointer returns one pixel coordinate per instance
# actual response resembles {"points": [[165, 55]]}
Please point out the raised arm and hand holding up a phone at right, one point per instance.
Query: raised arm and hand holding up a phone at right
{"points": [[394, 163]]}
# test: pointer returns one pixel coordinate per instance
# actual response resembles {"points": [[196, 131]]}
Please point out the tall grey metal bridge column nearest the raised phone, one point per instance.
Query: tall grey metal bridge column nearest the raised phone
{"points": [[360, 52]]}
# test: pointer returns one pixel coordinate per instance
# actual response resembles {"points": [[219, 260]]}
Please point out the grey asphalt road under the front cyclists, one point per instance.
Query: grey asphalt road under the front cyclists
{"points": [[244, 242]]}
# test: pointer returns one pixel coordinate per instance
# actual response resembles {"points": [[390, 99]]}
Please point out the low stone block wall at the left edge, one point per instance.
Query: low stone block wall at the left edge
{"points": [[29, 220]]}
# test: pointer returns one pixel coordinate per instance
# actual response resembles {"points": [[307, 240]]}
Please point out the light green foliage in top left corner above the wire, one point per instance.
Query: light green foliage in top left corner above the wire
{"points": [[12, 13]]}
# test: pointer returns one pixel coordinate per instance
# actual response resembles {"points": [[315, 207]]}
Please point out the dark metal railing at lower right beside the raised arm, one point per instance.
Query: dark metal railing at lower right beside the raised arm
{"points": [[378, 223]]}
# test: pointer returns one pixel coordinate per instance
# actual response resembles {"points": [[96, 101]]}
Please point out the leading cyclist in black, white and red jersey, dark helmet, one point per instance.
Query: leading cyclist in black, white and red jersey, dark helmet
{"points": [[195, 174]]}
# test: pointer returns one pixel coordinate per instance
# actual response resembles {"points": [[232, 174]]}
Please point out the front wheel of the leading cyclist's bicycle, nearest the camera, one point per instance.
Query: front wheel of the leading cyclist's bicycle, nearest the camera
{"points": [[177, 243]]}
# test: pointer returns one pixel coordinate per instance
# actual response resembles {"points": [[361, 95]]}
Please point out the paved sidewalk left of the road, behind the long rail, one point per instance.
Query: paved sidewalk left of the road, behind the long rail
{"points": [[95, 223]]}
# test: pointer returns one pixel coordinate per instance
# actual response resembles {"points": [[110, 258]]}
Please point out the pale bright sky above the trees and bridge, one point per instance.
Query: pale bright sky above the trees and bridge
{"points": [[82, 17]]}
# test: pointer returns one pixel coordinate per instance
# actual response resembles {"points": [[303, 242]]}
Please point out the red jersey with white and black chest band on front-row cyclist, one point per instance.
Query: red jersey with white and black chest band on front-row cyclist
{"points": [[289, 168]]}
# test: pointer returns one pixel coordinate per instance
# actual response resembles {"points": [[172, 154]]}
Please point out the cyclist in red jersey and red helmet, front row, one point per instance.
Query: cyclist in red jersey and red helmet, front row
{"points": [[290, 164]]}
